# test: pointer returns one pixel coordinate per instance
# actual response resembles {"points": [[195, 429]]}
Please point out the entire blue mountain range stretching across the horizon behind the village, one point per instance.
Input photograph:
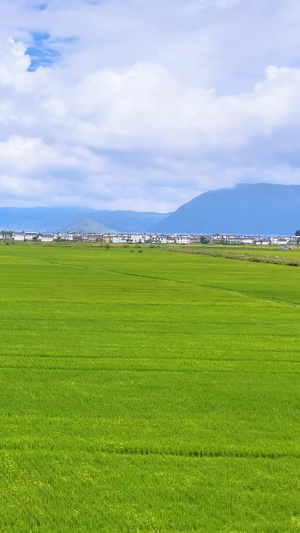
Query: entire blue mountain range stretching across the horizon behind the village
{"points": [[264, 209]]}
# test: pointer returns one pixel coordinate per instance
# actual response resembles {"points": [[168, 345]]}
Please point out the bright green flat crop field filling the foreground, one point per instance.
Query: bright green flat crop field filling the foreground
{"points": [[147, 391]]}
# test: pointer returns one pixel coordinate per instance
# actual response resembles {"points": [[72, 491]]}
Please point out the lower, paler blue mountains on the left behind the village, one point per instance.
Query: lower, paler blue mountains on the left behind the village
{"points": [[51, 219]]}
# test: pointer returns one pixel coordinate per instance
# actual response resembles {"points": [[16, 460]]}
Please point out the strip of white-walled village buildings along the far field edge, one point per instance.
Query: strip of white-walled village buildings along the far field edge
{"points": [[149, 238]]}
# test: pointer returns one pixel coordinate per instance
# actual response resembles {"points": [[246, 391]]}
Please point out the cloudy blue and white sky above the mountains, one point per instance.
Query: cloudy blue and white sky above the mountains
{"points": [[143, 105]]}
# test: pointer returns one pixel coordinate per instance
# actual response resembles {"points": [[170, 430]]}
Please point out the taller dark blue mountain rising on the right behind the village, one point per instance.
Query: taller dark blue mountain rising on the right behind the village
{"points": [[251, 209]]}
